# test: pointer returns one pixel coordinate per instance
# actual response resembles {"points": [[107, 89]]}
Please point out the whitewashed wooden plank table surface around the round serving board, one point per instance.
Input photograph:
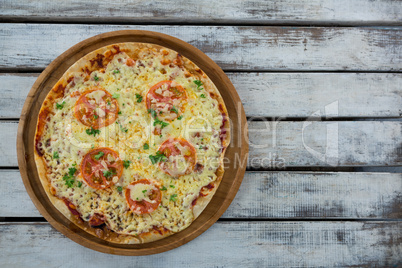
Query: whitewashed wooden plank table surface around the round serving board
{"points": [[323, 96]]}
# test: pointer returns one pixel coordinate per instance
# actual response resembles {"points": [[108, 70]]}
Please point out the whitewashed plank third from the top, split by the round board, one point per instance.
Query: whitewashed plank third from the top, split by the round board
{"points": [[274, 94]]}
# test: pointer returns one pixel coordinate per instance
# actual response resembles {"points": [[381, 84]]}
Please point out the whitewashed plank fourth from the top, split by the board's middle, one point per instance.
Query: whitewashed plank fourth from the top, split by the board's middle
{"points": [[276, 145]]}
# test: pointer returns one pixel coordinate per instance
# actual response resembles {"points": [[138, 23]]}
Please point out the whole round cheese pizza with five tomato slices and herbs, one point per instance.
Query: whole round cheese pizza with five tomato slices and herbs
{"points": [[130, 142]]}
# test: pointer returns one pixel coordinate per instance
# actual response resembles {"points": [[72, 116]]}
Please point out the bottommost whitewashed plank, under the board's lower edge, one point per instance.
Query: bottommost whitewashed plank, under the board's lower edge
{"points": [[225, 244]]}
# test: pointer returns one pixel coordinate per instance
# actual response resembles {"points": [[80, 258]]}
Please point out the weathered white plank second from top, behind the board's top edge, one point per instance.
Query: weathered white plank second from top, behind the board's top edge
{"points": [[232, 47]]}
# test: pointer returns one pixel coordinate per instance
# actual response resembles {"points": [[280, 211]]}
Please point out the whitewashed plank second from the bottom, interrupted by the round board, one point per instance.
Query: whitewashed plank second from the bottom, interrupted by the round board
{"points": [[291, 195]]}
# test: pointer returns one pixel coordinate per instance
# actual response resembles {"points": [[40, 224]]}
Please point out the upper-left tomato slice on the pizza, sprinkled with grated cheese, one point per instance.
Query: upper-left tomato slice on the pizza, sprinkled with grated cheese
{"points": [[96, 108]]}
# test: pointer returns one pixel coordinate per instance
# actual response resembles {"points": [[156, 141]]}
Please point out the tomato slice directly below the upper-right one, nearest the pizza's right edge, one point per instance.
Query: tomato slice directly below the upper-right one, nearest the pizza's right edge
{"points": [[181, 157]]}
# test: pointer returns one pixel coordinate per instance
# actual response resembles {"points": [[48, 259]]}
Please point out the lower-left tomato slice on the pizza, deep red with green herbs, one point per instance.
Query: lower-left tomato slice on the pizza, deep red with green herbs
{"points": [[101, 168]]}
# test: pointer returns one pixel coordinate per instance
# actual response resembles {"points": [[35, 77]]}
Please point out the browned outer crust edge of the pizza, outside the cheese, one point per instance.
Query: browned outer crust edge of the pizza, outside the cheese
{"points": [[94, 61]]}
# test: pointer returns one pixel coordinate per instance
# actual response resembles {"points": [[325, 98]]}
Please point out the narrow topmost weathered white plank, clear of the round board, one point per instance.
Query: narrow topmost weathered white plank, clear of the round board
{"points": [[361, 12]]}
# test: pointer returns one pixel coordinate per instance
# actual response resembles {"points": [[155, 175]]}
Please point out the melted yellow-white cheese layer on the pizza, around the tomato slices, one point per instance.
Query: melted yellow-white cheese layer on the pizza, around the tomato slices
{"points": [[200, 125]]}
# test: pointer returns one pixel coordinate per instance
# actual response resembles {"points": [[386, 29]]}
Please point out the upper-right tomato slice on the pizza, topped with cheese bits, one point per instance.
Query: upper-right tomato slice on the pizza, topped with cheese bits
{"points": [[166, 98]]}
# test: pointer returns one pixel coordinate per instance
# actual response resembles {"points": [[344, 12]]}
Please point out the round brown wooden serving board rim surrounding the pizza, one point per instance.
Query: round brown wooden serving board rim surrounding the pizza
{"points": [[237, 151]]}
